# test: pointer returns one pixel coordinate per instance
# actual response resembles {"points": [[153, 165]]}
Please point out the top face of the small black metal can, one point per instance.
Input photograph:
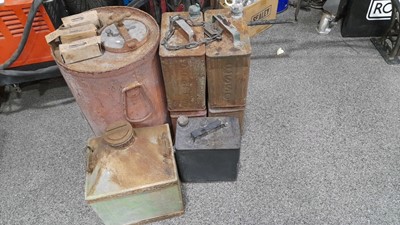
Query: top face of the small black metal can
{"points": [[209, 133]]}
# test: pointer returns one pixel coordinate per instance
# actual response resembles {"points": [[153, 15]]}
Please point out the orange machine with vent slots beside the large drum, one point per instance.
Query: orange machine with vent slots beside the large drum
{"points": [[13, 16]]}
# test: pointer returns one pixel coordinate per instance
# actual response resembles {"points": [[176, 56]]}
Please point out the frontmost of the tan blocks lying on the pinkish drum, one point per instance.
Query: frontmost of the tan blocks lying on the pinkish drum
{"points": [[81, 50]]}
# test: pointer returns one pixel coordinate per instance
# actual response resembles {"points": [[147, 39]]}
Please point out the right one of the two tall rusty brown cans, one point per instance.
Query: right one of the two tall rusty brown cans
{"points": [[228, 61]]}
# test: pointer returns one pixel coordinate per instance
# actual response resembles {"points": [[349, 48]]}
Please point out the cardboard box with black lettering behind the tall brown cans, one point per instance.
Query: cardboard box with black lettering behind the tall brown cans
{"points": [[259, 10]]}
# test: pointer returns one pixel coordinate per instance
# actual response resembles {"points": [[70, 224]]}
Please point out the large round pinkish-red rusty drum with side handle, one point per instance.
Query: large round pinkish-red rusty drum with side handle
{"points": [[123, 83]]}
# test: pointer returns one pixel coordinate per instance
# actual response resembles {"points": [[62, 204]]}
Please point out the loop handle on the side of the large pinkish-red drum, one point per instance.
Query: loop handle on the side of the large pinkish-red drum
{"points": [[136, 85]]}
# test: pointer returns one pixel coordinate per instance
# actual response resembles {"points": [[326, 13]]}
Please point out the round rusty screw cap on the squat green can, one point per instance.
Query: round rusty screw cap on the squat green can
{"points": [[118, 133]]}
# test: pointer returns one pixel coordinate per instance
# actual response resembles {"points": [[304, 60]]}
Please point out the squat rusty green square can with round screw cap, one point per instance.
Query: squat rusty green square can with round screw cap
{"points": [[131, 175]]}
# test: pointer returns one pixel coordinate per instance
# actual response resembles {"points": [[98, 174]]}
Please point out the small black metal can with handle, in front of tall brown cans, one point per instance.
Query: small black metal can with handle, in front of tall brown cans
{"points": [[207, 149]]}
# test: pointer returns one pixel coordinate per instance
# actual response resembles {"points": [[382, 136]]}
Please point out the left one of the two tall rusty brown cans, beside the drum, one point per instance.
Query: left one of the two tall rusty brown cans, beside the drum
{"points": [[184, 70]]}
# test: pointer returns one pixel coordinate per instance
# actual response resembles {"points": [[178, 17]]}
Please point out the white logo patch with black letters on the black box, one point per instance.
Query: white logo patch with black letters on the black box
{"points": [[379, 10]]}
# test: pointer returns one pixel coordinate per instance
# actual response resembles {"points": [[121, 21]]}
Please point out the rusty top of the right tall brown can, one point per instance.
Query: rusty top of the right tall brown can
{"points": [[226, 46]]}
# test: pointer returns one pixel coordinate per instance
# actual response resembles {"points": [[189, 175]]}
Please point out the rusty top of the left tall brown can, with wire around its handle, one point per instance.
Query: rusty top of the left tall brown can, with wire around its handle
{"points": [[180, 37]]}
